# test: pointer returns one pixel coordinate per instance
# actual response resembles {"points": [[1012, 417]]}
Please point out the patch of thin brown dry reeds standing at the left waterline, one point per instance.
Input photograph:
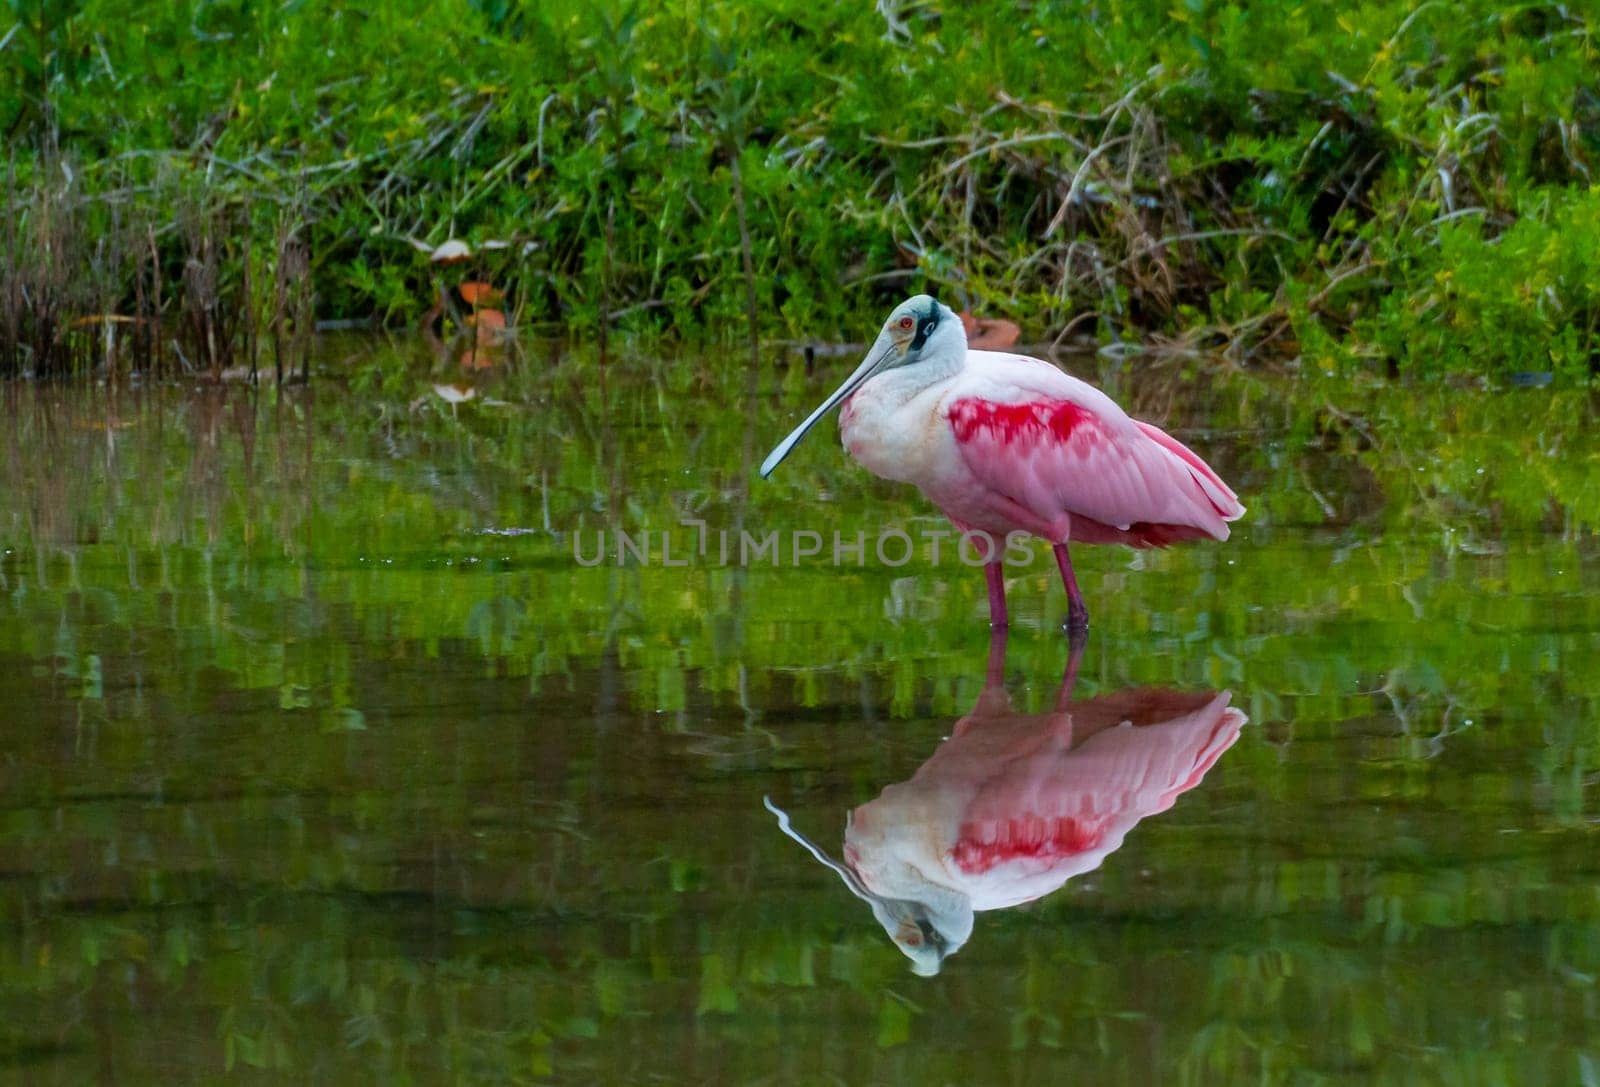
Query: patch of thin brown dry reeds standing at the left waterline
{"points": [[92, 283]]}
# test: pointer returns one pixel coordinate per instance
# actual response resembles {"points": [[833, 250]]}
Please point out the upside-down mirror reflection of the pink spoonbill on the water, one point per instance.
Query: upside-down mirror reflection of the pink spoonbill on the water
{"points": [[1014, 806]]}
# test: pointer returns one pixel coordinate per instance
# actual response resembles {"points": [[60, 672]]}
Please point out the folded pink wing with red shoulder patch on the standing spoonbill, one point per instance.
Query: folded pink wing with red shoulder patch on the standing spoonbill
{"points": [[1055, 444]]}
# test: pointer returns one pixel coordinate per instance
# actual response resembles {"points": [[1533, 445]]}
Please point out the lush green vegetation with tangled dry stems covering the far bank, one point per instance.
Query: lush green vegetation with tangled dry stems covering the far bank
{"points": [[1386, 185]]}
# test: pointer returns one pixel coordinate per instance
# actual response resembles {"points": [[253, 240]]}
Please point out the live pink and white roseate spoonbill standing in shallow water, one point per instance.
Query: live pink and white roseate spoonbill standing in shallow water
{"points": [[1009, 444]]}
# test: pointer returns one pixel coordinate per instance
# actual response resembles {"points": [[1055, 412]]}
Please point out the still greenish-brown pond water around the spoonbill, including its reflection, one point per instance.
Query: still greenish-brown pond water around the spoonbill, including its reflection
{"points": [[326, 758]]}
